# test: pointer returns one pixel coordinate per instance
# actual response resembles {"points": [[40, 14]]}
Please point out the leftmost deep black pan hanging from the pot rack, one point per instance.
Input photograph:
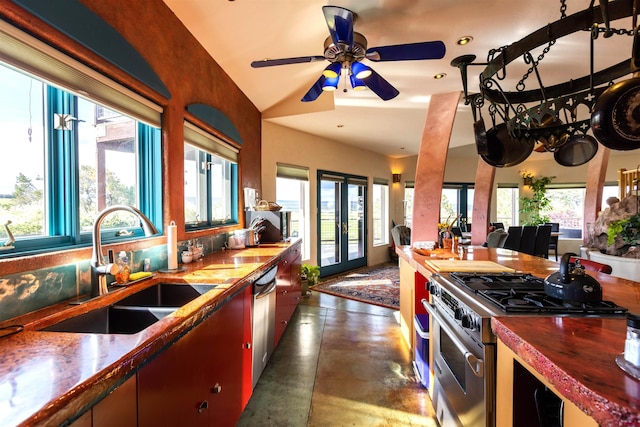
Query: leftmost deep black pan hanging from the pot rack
{"points": [[505, 151]]}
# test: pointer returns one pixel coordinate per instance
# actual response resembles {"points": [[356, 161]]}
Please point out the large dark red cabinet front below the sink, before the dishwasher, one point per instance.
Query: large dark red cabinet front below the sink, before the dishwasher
{"points": [[201, 378]]}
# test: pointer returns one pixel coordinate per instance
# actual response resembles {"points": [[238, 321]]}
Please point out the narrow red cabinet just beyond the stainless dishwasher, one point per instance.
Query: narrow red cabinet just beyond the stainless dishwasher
{"points": [[288, 292]]}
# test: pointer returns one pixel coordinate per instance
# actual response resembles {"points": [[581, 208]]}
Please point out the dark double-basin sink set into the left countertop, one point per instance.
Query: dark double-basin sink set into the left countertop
{"points": [[135, 312]]}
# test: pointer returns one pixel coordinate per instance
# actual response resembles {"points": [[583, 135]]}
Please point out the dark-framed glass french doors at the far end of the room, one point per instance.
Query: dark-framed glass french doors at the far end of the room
{"points": [[342, 219]]}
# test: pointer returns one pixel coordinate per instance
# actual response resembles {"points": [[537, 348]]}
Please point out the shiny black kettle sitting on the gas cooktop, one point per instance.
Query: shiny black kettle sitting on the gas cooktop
{"points": [[572, 284]]}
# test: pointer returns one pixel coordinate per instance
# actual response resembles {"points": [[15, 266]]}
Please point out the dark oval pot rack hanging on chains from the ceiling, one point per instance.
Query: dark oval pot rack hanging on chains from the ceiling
{"points": [[560, 101]]}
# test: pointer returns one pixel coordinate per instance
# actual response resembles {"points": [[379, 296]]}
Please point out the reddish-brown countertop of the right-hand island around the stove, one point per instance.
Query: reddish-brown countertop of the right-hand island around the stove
{"points": [[575, 354]]}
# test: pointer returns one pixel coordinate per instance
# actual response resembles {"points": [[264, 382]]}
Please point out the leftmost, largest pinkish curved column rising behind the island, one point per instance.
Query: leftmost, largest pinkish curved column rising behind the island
{"points": [[432, 159]]}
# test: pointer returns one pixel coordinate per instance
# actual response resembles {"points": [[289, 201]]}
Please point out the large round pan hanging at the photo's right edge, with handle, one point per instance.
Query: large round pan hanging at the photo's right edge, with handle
{"points": [[615, 119]]}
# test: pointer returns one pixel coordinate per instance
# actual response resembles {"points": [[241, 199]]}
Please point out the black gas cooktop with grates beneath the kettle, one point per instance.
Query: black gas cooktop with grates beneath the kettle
{"points": [[524, 293]]}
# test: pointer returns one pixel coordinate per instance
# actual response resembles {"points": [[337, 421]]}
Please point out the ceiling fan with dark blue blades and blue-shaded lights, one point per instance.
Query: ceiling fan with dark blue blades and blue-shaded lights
{"points": [[345, 49]]}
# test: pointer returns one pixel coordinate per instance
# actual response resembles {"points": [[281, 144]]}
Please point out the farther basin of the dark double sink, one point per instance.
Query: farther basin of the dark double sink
{"points": [[165, 295]]}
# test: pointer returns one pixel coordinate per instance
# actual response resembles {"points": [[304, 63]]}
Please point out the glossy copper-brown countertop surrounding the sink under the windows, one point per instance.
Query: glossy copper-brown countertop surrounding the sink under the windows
{"points": [[48, 377]]}
